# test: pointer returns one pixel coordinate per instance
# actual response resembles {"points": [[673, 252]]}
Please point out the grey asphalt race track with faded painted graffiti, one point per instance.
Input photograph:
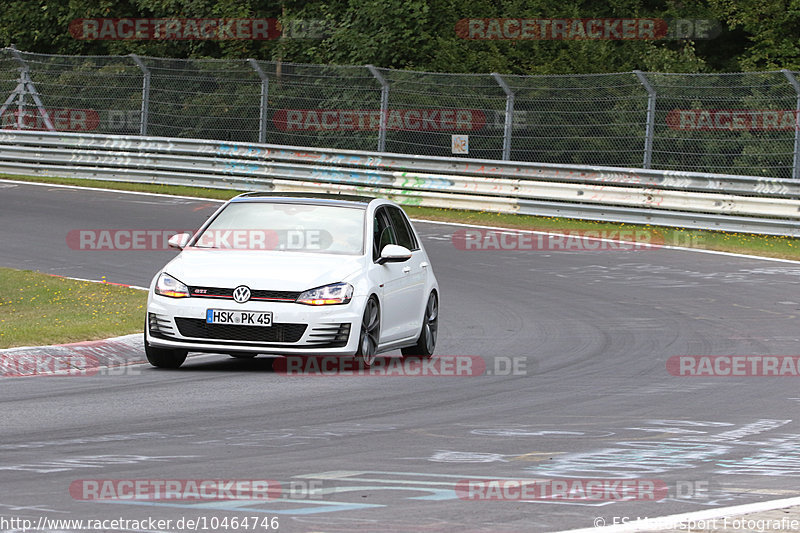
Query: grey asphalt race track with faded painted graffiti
{"points": [[593, 330]]}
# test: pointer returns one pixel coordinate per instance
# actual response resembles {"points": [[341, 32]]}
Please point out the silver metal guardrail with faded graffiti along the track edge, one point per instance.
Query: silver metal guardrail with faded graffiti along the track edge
{"points": [[695, 200]]}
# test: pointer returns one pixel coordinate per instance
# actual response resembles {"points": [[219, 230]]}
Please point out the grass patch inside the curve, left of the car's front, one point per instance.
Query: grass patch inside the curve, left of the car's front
{"points": [[38, 309]]}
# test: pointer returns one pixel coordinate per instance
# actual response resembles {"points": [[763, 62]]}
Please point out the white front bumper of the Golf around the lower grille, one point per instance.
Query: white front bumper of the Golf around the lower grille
{"points": [[297, 329]]}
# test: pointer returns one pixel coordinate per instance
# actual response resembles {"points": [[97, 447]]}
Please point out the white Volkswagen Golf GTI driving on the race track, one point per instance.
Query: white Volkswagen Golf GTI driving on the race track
{"points": [[295, 275]]}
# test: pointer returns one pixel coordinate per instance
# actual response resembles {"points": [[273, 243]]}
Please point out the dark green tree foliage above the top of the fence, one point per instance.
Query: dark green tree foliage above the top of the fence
{"points": [[421, 34]]}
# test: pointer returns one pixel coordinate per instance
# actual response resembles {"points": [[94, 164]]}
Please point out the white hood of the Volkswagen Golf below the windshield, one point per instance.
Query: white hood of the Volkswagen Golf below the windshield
{"points": [[266, 270]]}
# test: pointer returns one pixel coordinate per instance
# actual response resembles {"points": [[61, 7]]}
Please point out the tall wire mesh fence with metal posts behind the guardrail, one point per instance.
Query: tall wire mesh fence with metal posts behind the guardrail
{"points": [[713, 122]]}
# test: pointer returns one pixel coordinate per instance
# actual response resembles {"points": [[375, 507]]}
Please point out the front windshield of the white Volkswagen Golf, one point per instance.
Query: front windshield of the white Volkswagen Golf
{"points": [[286, 227]]}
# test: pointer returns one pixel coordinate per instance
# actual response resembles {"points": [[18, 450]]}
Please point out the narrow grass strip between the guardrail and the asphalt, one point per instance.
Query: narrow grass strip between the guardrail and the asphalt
{"points": [[743, 243]]}
